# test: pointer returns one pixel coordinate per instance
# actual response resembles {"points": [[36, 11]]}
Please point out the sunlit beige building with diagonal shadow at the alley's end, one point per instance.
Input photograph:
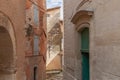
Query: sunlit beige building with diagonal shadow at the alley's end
{"points": [[55, 36]]}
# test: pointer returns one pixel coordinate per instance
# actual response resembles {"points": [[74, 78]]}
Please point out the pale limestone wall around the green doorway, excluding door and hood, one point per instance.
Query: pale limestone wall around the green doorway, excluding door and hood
{"points": [[104, 40]]}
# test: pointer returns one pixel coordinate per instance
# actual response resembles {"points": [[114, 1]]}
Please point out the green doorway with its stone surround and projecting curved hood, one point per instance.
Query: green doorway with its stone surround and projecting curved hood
{"points": [[82, 21]]}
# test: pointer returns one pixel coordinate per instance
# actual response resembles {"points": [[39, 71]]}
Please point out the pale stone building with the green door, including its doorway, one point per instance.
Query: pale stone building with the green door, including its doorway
{"points": [[91, 40]]}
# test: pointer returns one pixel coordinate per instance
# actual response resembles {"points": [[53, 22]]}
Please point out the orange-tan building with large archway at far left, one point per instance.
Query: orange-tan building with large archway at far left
{"points": [[12, 40]]}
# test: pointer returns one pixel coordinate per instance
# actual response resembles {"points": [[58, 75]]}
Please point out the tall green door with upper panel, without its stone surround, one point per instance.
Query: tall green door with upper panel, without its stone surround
{"points": [[85, 53]]}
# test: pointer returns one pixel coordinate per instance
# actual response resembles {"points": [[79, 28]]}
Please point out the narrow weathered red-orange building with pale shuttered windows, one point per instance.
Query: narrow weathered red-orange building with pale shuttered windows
{"points": [[35, 40]]}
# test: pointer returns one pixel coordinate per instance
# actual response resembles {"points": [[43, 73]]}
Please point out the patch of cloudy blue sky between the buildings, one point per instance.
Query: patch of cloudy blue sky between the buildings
{"points": [[53, 3]]}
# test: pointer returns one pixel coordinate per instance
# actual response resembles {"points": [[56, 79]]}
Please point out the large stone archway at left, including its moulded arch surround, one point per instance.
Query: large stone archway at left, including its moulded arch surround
{"points": [[7, 49]]}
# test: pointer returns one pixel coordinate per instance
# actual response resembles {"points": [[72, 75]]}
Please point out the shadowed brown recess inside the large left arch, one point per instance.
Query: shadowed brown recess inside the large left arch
{"points": [[6, 54]]}
